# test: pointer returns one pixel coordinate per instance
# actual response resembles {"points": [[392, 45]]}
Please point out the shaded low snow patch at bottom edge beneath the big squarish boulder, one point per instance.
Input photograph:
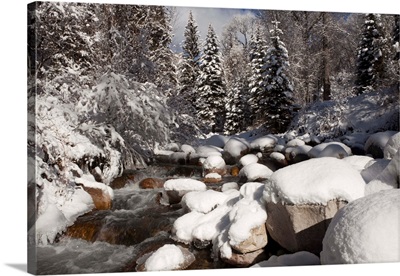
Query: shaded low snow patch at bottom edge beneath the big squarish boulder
{"points": [[296, 259]]}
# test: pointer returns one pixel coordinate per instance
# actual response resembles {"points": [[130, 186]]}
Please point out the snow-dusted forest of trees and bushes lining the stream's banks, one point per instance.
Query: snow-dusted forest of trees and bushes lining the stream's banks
{"points": [[107, 93]]}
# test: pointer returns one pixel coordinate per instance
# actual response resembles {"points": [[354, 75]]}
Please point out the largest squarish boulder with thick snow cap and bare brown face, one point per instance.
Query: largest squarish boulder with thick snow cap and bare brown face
{"points": [[302, 198]]}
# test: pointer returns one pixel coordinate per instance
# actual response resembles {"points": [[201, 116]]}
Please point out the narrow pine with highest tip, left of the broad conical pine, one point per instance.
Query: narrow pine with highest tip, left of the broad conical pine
{"points": [[189, 69]]}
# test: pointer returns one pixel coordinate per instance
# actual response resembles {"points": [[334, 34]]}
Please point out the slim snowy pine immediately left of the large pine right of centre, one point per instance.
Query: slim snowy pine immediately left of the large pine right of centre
{"points": [[256, 84]]}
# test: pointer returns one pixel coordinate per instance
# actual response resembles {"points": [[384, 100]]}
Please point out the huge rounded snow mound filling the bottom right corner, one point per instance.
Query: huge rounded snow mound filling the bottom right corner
{"points": [[365, 231]]}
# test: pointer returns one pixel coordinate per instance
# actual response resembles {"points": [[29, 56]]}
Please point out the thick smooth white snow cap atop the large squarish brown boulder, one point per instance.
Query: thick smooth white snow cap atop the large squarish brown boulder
{"points": [[315, 181]]}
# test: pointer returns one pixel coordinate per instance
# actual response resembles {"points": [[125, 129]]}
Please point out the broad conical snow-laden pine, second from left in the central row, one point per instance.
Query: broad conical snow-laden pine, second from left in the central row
{"points": [[211, 85]]}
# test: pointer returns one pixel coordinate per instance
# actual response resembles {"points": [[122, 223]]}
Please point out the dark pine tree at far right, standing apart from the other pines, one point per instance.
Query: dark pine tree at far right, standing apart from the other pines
{"points": [[370, 59]]}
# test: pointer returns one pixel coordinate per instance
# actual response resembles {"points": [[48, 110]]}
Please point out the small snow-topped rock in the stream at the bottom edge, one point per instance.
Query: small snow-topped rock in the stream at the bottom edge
{"points": [[166, 258]]}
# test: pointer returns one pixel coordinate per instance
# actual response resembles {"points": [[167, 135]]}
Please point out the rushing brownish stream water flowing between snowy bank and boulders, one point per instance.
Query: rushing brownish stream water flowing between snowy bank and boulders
{"points": [[113, 240]]}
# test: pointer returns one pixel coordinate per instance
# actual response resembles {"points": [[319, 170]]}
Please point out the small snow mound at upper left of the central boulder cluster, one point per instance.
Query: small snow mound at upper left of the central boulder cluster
{"points": [[203, 202]]}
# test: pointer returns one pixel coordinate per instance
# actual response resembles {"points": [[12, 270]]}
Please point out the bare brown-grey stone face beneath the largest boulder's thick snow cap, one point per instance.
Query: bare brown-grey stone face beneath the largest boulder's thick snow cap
{"points": [[300, 227]]}
